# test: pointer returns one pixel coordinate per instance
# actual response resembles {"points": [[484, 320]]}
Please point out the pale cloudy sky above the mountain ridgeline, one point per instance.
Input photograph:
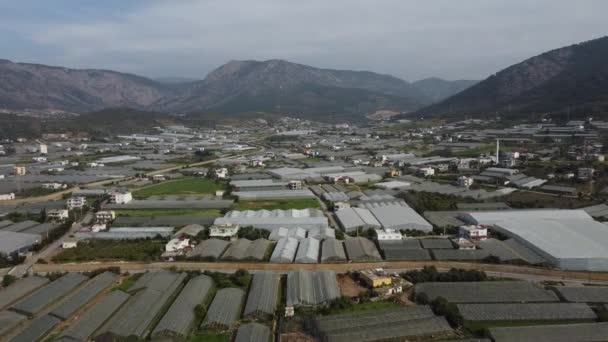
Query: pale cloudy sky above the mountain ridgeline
{"points": [[452, 39]]}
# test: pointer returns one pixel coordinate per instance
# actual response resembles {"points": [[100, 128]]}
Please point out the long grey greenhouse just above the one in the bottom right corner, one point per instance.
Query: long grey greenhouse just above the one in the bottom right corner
{"points": [[536, 312]]}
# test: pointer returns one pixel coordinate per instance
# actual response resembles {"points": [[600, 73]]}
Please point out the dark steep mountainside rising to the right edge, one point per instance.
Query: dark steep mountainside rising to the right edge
{"points": [[572, 79]]}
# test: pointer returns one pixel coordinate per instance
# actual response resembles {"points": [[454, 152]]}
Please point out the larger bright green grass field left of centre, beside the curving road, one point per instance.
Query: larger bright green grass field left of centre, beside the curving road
{"points": [[182, 186]]}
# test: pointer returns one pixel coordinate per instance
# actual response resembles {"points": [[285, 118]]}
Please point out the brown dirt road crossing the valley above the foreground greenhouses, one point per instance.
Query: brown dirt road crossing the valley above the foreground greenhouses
{"points": [[343, 267]]}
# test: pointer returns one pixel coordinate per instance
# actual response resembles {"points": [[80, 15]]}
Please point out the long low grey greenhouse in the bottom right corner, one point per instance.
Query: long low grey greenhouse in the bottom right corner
{"points": [[552, 333]]}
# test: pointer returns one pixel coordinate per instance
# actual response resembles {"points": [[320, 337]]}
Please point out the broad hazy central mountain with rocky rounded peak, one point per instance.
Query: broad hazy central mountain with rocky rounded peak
{"points": [[281, 86]]}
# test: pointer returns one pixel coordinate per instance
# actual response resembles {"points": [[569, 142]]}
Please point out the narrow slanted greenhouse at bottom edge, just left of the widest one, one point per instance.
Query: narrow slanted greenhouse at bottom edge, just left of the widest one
{"points": [[96, 316]]}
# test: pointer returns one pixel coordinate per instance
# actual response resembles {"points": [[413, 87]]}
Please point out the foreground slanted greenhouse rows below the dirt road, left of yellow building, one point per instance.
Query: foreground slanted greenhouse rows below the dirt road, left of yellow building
{"points": [[158, 305]]}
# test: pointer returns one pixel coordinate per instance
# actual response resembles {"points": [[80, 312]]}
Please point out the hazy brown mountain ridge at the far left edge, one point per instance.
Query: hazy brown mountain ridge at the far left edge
{"points": [[33, 86]]}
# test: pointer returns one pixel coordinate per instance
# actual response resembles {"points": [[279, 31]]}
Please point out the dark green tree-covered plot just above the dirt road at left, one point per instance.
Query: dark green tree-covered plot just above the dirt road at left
{"points": [[142, 250]]}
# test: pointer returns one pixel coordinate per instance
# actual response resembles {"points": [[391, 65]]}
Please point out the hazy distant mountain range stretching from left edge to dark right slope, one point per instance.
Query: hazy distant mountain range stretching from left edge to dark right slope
{"points": [[238, 86]]}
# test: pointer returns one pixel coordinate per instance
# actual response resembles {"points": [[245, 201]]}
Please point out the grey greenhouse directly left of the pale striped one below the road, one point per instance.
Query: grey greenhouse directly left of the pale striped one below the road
{"points": [[263, 296]]}
